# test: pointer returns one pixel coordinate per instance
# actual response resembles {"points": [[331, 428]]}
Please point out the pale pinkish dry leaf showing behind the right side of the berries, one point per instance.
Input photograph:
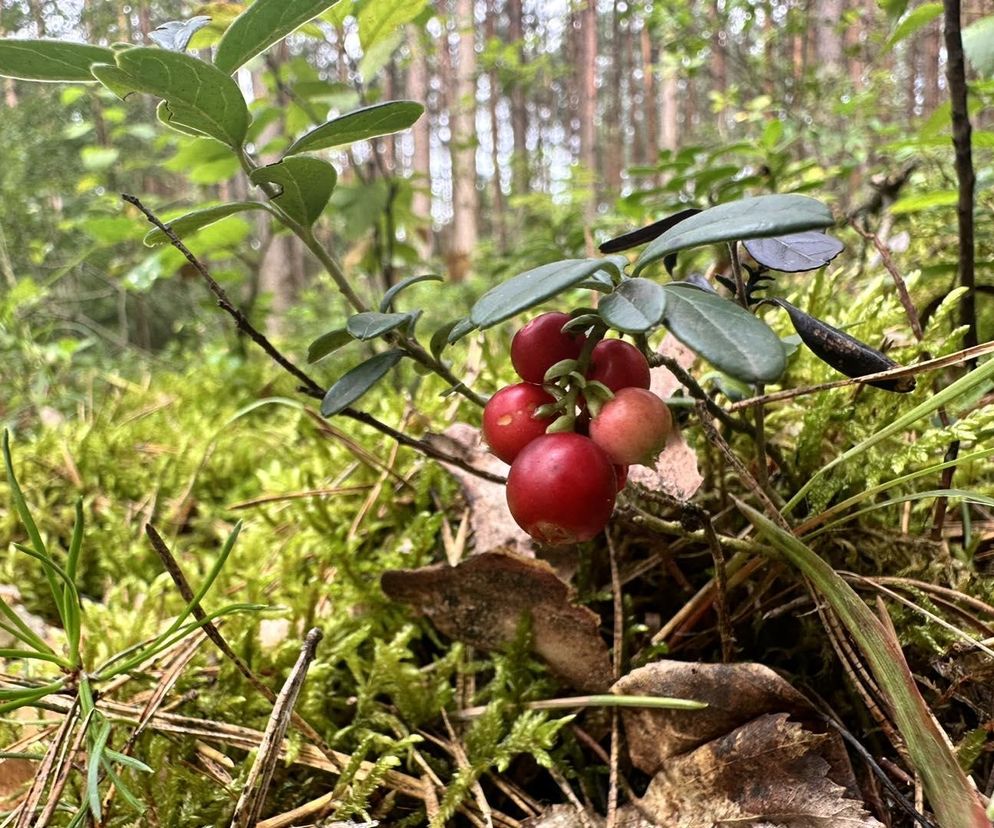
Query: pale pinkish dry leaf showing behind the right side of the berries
{"points": [[675, 471]]}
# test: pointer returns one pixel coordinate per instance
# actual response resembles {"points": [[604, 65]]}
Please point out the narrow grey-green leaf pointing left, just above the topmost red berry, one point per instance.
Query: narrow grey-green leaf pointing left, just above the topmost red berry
{"points": [[535, 286]]}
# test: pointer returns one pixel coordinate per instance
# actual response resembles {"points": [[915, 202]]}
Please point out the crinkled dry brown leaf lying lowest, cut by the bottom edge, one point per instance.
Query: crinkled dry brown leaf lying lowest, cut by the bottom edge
{"points": [[768, 771]]}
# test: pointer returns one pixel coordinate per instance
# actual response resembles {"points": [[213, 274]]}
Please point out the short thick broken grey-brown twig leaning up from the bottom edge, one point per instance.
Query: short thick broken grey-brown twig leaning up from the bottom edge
{"points": [[250, 803]]}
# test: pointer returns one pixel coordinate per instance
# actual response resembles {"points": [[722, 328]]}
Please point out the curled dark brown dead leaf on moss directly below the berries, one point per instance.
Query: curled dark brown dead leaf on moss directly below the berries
{"points": [[482, 600]]}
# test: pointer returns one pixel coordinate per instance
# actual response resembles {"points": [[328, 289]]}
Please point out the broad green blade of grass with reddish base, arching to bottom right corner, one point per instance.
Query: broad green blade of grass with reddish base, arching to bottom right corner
{"points": [[954, 800]]}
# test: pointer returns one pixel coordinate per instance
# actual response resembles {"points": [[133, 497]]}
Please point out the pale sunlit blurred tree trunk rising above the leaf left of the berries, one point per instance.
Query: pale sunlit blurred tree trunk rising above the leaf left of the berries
{"points": [[463, 118]]}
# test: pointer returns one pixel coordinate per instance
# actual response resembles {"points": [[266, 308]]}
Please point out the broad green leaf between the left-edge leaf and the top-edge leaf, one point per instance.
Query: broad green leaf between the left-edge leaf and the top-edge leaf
{"points": [[197, 96]]}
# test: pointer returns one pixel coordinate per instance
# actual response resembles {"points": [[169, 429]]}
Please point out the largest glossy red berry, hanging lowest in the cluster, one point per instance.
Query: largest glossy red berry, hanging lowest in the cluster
{"points": [[561, 489]]}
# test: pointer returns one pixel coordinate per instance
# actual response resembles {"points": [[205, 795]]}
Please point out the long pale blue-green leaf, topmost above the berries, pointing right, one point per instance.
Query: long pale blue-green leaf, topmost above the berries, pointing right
{"points": [[748, 218]]}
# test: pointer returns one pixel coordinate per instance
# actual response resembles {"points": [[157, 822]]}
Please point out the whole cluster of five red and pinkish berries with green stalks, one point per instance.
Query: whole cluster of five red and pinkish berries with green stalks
{"points": [[570, 442]]}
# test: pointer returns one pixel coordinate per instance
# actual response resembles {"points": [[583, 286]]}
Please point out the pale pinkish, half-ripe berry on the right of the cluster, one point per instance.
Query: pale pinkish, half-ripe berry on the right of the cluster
{"points": [[632, 427]]}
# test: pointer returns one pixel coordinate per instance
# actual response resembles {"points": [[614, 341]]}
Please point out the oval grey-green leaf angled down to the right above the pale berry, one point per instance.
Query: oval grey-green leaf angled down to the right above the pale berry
{"points": [[724, 333]]}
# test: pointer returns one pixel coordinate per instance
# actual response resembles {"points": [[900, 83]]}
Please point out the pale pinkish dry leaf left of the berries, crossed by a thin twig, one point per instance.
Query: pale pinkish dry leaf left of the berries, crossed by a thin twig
{"points": [[493, 527]]}
